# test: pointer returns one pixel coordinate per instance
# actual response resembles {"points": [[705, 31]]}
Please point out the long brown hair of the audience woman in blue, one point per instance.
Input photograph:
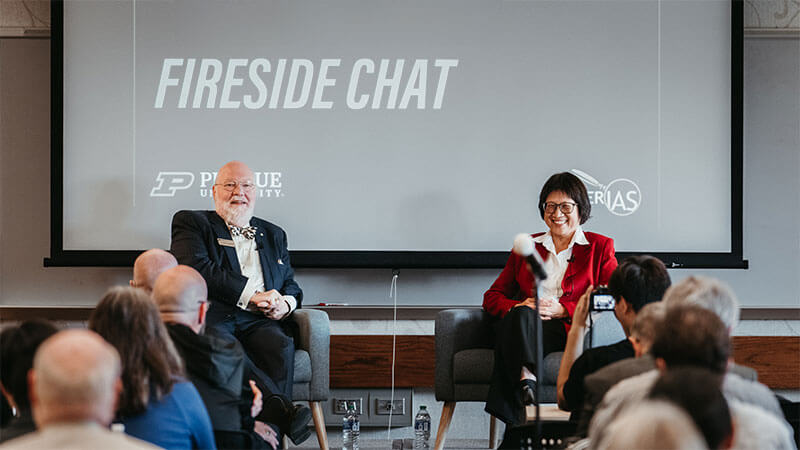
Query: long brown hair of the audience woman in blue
{"points": [[128, 319]]}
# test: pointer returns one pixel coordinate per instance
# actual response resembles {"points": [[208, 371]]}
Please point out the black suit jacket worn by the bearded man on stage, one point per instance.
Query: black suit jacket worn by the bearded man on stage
{"points": [[195, 242]]}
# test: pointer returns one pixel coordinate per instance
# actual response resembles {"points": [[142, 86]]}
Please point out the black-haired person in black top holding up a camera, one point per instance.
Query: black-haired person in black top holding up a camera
{"points": [[638, 281]]}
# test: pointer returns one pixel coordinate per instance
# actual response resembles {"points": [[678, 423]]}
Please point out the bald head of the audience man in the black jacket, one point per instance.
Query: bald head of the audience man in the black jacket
{"points": [[179, 293]]}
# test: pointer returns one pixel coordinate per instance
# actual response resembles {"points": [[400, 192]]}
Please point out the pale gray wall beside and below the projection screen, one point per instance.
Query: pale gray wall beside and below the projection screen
{"points": [[772, 199]]}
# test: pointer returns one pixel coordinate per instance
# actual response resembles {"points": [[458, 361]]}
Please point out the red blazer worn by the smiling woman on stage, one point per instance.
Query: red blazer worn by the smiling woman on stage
{"points": [[590, 264]]}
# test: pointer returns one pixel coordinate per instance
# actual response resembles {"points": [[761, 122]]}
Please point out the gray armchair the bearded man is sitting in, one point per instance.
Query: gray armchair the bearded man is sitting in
{"points": [[312, 366]]}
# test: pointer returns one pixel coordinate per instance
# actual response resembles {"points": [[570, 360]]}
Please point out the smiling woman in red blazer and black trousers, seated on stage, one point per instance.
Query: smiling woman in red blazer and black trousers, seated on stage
{"points": [[574, 259]]}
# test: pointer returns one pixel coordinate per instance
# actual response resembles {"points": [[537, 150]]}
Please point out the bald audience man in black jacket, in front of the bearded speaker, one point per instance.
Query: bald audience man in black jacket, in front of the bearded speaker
{"points": [[214, 364]]}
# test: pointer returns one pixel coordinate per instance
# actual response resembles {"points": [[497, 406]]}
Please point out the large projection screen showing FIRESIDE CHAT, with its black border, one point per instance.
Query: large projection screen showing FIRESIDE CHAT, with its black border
{"points": [[399, 133]]}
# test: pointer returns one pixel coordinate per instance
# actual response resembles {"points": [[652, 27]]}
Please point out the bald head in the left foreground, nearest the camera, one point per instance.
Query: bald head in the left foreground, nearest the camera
{"points": [[75, 378]]}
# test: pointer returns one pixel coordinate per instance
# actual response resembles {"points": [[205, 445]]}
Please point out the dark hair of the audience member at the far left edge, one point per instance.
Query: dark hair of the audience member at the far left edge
{"points": [[18, 344]]}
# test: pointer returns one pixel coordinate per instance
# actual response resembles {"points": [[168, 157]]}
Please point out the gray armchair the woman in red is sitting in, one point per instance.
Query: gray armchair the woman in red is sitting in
{"points": [[465, 361]]}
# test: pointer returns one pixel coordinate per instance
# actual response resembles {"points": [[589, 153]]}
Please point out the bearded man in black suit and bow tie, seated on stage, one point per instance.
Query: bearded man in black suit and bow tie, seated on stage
{"points": [[245, 263]]}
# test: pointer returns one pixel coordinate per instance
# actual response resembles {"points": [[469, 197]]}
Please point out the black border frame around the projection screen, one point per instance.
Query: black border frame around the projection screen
{"points": [[394, 259]]}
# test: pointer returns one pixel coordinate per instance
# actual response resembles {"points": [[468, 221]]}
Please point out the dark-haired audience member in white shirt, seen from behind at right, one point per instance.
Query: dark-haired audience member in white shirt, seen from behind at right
{"points": [[694, 336]]}
